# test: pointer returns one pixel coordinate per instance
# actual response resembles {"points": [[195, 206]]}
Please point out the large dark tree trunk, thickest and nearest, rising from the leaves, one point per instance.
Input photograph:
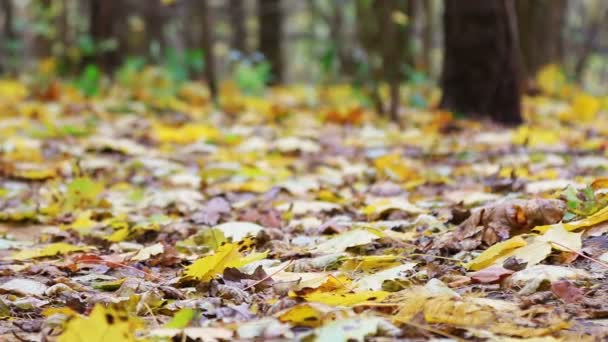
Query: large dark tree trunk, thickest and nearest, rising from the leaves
{"points": [[482, 64]]}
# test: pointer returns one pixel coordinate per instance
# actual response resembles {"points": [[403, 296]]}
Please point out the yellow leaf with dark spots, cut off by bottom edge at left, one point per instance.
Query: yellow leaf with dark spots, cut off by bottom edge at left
{"points": [[102, 325]]}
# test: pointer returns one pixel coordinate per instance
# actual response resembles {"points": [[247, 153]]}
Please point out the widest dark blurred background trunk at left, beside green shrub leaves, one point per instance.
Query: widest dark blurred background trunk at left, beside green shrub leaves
{"points": [[102, 17]]}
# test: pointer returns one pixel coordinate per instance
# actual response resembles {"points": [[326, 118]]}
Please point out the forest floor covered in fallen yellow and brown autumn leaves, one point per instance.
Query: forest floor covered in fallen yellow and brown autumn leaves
{"points": [[133, 216]]}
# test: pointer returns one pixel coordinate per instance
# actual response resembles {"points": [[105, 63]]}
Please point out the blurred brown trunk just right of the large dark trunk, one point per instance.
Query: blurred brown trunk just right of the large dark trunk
{"points": [[540, 26]]}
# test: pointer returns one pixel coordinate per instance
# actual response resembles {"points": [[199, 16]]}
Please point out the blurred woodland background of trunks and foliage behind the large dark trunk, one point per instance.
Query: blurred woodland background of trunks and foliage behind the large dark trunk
{"points": [[255, 43]]}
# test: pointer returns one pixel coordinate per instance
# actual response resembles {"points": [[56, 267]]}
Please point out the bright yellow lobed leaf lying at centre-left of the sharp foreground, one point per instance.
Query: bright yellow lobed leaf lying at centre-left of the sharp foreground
{"points": [[226, 256]]}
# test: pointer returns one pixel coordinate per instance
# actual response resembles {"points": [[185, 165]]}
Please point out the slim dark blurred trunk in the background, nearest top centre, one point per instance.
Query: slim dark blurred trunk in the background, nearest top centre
{"points": [[270, 16]]}
